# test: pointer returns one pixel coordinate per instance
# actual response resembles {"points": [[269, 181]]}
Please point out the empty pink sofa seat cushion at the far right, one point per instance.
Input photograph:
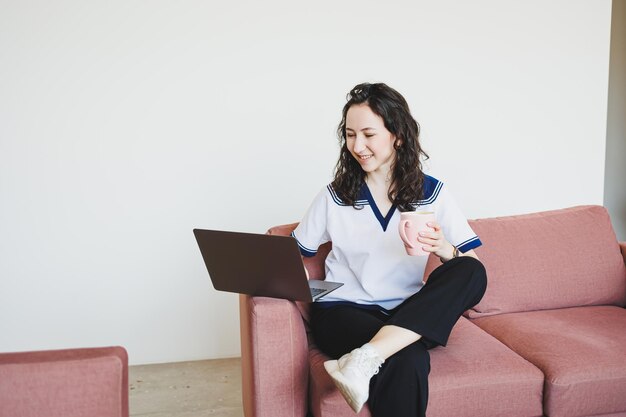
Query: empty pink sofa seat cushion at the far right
{"points": [[581, 351]]}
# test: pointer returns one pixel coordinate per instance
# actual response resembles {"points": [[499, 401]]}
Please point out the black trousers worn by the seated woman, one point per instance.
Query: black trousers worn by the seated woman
{"points": [[400, 389]]}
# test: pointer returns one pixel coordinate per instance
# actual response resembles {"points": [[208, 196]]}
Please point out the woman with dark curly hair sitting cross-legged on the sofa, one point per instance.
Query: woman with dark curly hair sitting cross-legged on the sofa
{"points": [[382, 321]]}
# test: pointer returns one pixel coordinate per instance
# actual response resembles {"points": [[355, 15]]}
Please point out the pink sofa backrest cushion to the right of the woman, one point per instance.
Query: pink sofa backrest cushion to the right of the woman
{"points": [[552, 259]]}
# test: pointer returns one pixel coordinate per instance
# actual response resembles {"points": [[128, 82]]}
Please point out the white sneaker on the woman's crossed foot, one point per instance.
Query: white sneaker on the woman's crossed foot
{"points": [[352, 374]]}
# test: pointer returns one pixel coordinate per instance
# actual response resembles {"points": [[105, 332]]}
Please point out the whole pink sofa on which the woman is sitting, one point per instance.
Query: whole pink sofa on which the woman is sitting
{"points": [[548, 338]]}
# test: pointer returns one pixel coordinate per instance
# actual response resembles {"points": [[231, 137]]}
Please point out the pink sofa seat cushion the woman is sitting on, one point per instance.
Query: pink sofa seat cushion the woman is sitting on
{"points": [[473, 376]]}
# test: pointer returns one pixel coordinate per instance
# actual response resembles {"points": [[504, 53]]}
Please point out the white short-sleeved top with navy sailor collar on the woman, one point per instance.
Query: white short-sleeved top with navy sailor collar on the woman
{"points": [[367, 253]]}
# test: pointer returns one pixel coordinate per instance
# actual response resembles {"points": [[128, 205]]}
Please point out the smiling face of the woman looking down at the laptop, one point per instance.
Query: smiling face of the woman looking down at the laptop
{"points": [[368, 140]]}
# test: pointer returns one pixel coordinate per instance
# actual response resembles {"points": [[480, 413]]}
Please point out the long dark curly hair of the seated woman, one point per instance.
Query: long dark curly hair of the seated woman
{"points": [[407, 178]]}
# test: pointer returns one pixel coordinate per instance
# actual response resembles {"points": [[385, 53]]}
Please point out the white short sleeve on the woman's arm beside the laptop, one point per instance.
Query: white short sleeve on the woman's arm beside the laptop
{"points": [[312, 230]]}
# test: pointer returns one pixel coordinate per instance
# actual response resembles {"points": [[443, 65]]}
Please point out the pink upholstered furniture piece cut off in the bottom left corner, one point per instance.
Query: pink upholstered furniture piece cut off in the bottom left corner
{"points": [[70, 383]]}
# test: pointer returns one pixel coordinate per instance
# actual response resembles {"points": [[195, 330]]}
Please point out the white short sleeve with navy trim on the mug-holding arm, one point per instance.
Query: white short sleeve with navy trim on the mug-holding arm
{"points": [[454, 224]]}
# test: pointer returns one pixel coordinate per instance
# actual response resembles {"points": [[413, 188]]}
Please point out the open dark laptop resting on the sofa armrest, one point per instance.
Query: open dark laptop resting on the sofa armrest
{"points": [[260, 265]]}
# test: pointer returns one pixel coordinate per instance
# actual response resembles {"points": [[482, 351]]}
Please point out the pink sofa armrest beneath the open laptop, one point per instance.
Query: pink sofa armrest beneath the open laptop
{"points": [[274, 352]]}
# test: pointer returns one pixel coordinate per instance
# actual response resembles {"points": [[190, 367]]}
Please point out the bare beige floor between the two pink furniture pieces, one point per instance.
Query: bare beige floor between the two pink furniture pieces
{"points": [[187, 389]]}
